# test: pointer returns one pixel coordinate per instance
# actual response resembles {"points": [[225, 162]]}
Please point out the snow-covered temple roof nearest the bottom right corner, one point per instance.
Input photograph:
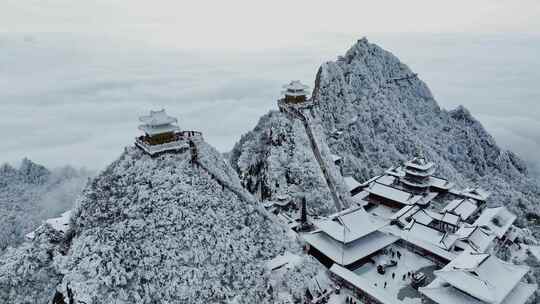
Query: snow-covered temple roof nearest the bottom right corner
{"points": [[481, 278]]}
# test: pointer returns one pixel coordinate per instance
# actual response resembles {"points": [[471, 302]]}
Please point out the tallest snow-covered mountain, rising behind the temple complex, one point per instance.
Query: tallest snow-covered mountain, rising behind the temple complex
{"points": [[387, 113]]}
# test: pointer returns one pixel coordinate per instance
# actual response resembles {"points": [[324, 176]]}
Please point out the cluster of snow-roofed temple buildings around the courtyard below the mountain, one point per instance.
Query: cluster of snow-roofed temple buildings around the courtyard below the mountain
{"points": [[410, 232]]}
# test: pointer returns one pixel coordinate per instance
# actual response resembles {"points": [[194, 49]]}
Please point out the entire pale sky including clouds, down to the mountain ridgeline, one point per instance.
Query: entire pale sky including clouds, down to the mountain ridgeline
{"points": [[74, 75]]}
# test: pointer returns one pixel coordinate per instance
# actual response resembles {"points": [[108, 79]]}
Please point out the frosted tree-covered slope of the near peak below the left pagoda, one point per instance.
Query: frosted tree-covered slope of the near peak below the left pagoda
{"points": [[166, 230]]}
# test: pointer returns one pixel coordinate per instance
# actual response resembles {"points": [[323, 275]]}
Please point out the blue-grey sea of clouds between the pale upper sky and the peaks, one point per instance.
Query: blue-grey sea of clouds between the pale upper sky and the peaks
{"points": [[75, 99]]}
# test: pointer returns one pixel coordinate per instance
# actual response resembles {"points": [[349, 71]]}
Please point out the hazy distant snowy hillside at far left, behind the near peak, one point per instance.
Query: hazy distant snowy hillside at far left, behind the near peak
{"points": [[32, 193]]}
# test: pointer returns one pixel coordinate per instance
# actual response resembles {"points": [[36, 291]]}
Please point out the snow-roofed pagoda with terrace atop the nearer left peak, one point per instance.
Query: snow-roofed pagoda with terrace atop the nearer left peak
{"points": [[162, 134]]}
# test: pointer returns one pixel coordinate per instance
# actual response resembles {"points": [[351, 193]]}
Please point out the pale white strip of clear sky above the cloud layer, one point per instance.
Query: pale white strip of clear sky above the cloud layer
{"points": [[248, 23]]}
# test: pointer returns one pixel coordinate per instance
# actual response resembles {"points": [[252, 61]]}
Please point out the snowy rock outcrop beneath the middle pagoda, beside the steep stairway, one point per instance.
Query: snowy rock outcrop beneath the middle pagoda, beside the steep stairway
{"points": [[276, 159]]}
